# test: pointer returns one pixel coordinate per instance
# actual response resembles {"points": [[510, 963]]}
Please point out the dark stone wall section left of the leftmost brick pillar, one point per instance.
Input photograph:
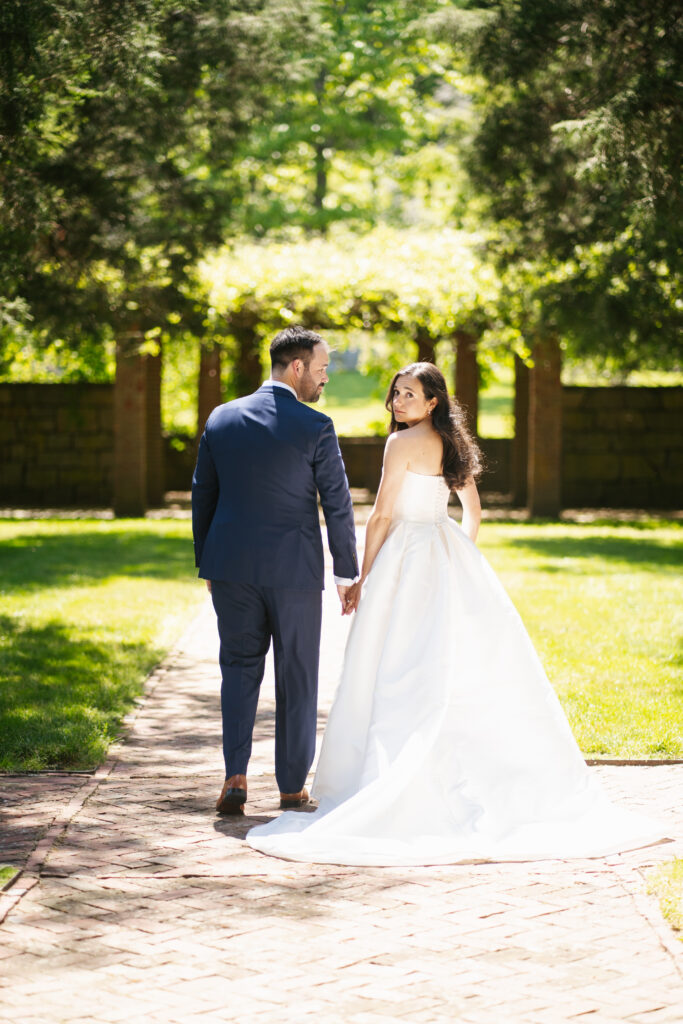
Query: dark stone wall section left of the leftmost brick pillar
{"points": [[57, 443]]}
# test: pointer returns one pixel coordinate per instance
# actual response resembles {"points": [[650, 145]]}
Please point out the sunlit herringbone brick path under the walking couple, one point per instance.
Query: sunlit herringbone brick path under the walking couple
{"points": [[139, 905]]}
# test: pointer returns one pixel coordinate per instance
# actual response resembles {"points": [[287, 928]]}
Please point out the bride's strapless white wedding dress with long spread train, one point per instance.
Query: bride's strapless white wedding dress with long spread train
{"points": [[446, 742]]}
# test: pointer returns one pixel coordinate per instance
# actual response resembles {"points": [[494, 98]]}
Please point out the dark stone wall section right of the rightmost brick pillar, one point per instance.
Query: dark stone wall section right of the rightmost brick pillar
{"points": [[623, 447]]}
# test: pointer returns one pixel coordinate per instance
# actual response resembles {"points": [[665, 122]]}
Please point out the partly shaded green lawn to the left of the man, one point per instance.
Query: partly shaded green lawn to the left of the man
{"points": [[88, 609]]}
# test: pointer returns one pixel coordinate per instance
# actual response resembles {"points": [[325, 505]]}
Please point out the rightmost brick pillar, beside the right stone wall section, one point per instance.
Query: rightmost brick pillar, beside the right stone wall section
{"points": [[545, 431]]}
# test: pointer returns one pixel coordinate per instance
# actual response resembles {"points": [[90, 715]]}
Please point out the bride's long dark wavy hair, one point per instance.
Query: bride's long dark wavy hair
{"points": [[462, 459]]}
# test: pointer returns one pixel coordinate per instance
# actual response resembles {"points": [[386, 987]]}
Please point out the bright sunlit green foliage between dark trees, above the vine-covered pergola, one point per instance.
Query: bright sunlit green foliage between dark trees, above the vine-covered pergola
{"points": [[369, 132]]}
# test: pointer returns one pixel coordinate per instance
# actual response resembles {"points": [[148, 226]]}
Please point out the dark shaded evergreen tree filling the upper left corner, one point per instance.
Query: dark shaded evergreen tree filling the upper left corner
{"points": [[119, 129]]}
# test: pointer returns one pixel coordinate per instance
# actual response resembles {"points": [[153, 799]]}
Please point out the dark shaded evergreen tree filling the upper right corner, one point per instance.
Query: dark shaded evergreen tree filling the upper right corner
{"points": [[578, 155]]}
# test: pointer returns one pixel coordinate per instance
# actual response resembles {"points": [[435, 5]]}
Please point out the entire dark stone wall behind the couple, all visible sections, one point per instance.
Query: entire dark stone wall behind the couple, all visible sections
{"points": [[622, 448]]}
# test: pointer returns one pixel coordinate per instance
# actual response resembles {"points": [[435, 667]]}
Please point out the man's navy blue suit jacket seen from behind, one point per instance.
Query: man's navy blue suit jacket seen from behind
{"points": [[263, 462]]}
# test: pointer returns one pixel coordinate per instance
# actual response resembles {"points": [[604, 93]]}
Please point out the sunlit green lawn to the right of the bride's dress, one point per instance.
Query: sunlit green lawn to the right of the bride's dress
{"points": [[604, 605]]}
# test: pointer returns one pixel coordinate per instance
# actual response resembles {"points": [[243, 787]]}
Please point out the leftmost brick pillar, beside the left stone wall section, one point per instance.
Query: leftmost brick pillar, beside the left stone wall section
{"points": [[131, 429]]}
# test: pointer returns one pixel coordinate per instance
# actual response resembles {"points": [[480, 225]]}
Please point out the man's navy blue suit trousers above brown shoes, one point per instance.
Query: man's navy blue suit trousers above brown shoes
{"points": [[249, 616]]}
